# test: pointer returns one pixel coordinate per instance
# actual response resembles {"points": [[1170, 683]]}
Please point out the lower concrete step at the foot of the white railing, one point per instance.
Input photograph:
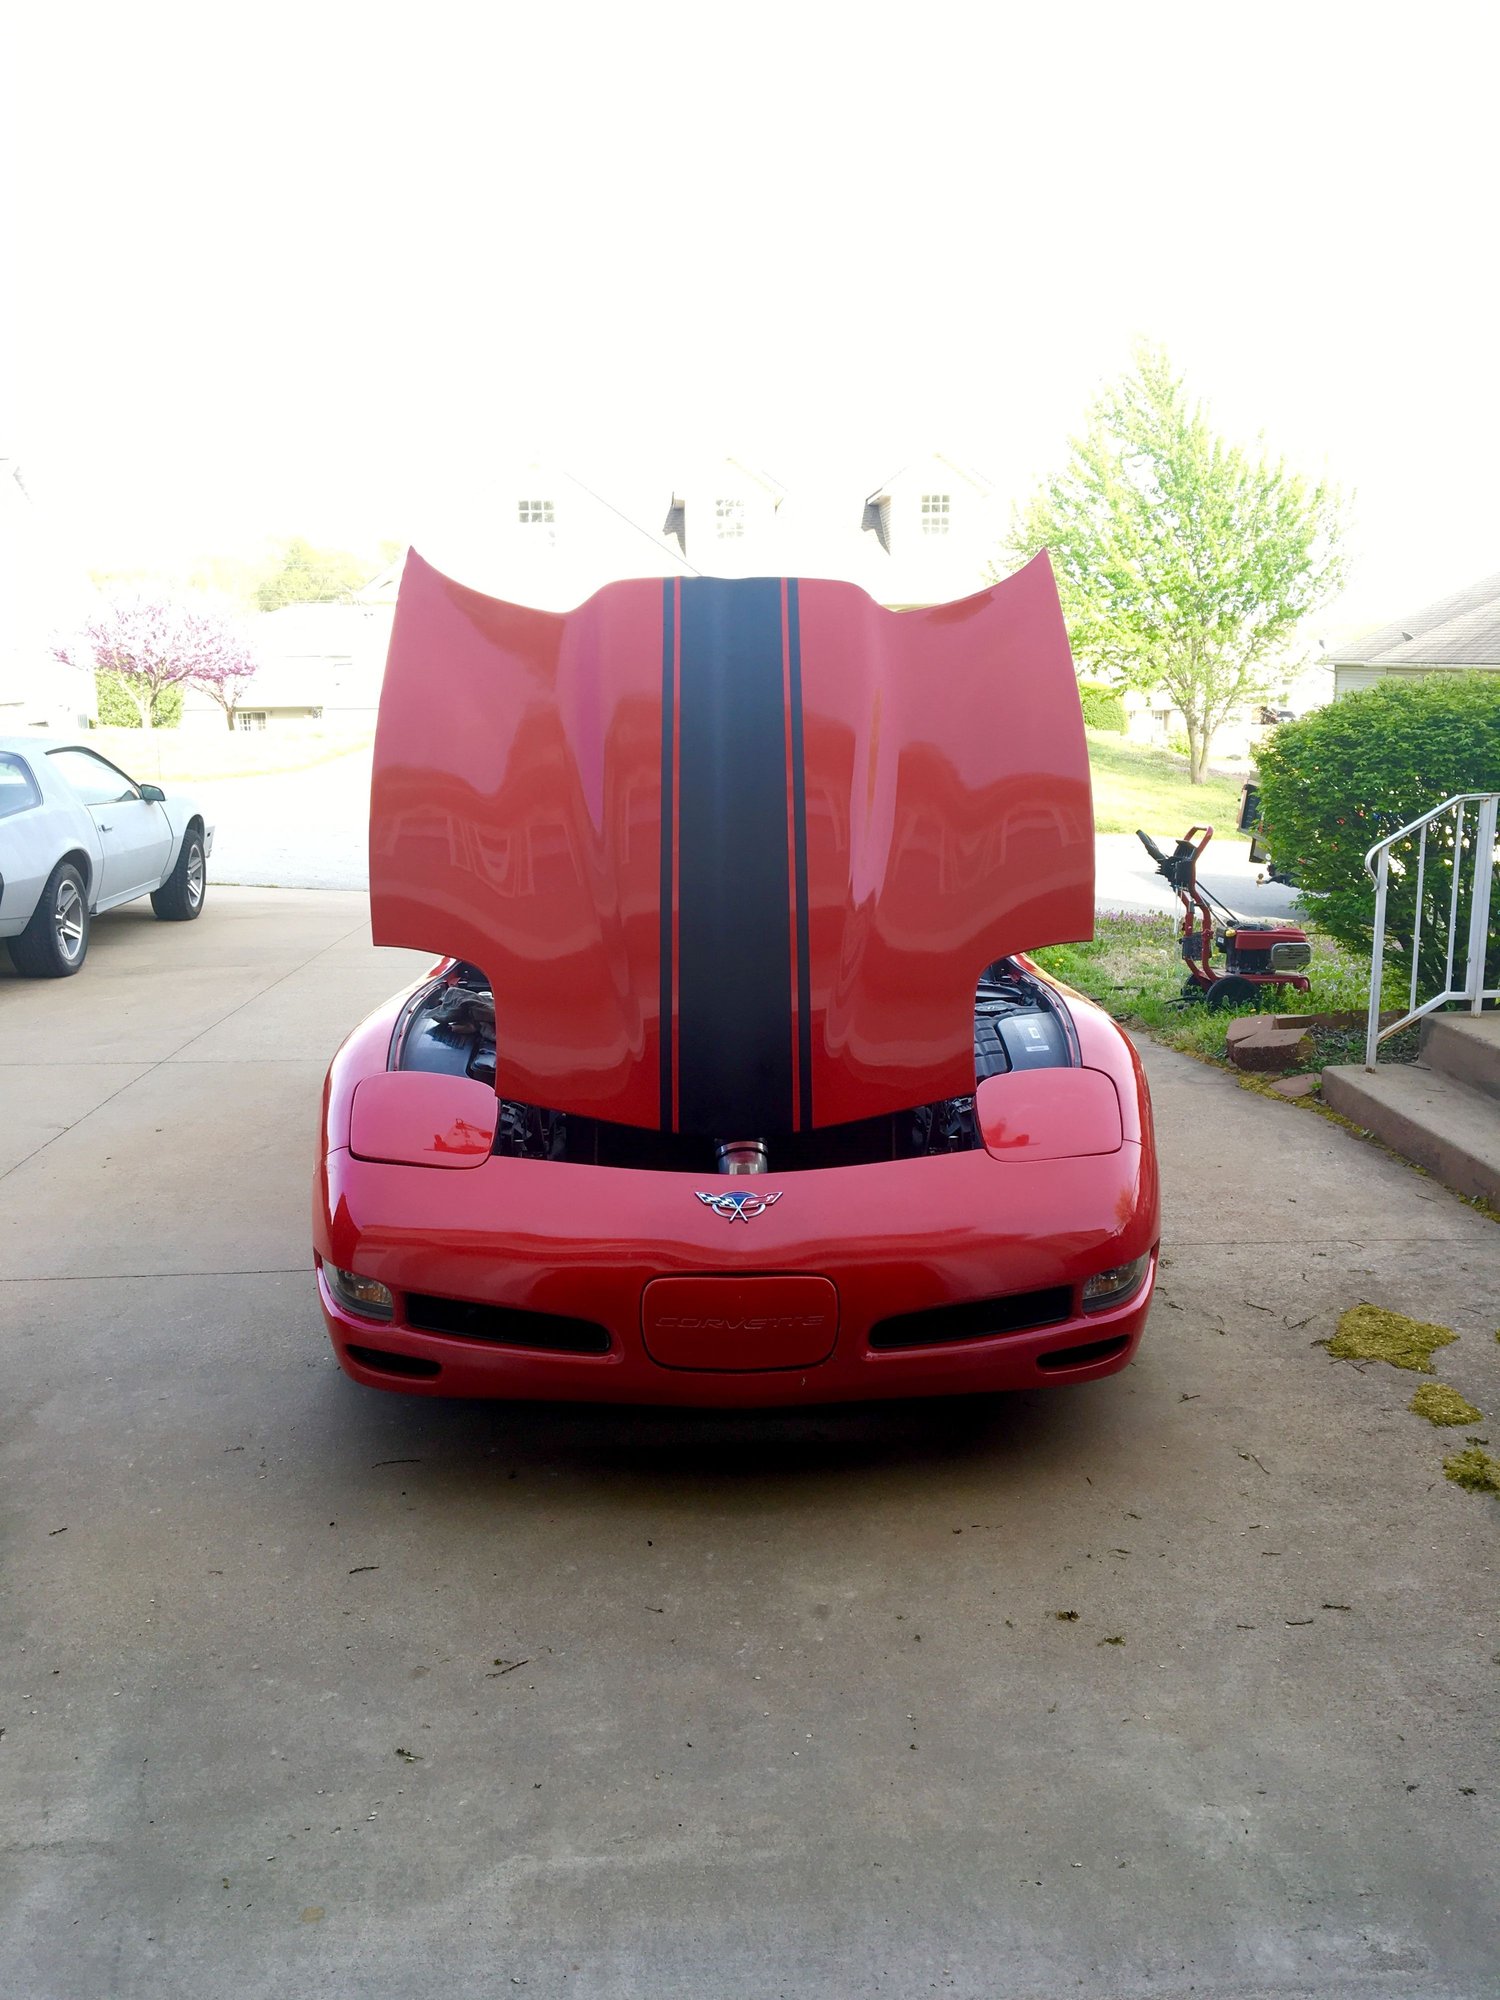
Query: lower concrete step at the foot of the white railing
{"points": [[1427, 1117]]}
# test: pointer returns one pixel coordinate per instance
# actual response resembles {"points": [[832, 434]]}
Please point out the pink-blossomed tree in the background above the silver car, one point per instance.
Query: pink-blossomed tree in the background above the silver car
{"points": [[155, 645]]}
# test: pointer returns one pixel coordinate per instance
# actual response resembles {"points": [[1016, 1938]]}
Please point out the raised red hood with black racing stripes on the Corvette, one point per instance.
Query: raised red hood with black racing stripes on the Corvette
{"points": [[733, 853]]}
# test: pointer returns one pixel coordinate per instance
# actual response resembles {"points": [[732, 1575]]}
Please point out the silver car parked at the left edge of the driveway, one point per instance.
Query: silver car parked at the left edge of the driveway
{"points": [[79, 837]]}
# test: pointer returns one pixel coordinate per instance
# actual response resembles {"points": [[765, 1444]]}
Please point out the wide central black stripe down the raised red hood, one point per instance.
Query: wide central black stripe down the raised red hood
{"points": [[735, 949]]}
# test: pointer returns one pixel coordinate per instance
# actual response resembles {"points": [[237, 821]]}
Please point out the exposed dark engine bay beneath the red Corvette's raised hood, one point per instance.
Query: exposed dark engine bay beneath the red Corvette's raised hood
{"points": [[449, 1027]]}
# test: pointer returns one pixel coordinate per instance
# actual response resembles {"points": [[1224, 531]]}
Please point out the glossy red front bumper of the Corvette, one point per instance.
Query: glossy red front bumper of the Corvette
{"points": [[893, 1239]]}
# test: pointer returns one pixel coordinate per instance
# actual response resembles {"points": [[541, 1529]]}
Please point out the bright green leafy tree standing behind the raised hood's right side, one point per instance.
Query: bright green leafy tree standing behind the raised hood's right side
{"points": [[1183, 561]]}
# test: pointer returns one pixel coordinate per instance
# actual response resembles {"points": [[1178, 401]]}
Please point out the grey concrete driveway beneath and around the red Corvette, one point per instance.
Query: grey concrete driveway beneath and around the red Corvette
{"points": [[1175, 1685]]}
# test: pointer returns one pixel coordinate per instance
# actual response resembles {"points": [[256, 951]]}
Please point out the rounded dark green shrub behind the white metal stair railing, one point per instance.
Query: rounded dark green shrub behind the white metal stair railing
{"points": [[1353, 773]]}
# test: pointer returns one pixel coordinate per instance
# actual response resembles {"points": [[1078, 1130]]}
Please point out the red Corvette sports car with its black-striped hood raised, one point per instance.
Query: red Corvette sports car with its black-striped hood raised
{"points": [[733, 1085]]}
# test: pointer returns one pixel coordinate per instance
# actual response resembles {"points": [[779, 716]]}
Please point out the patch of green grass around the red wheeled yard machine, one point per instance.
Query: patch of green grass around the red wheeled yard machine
{"points": [[1135, 971]]}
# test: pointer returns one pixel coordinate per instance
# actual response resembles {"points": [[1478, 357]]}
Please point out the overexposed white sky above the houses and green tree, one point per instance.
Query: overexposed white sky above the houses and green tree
{"points": [[313, 269]]}
